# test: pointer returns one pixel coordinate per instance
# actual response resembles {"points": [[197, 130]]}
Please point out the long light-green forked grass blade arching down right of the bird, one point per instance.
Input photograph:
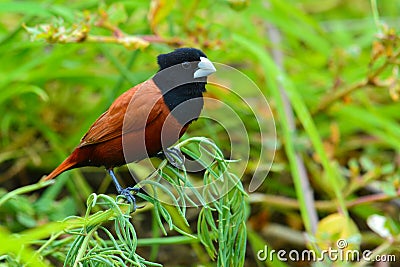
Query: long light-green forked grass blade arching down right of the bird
{"points": [[333, 177]]}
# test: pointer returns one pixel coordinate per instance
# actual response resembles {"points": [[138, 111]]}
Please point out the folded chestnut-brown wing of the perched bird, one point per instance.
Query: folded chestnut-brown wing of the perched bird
{"points": [[131, 111]]}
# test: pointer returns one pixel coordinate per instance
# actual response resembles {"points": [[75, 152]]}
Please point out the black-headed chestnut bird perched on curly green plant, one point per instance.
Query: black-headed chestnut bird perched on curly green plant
{"points": [[146, 119]]}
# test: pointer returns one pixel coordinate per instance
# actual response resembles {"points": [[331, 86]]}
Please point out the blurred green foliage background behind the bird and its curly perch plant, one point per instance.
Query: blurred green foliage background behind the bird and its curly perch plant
{"points": [[329, 70]]}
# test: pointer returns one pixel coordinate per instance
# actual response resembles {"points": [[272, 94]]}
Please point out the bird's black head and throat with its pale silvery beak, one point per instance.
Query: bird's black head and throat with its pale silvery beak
{"points": [[182, 78]]}
